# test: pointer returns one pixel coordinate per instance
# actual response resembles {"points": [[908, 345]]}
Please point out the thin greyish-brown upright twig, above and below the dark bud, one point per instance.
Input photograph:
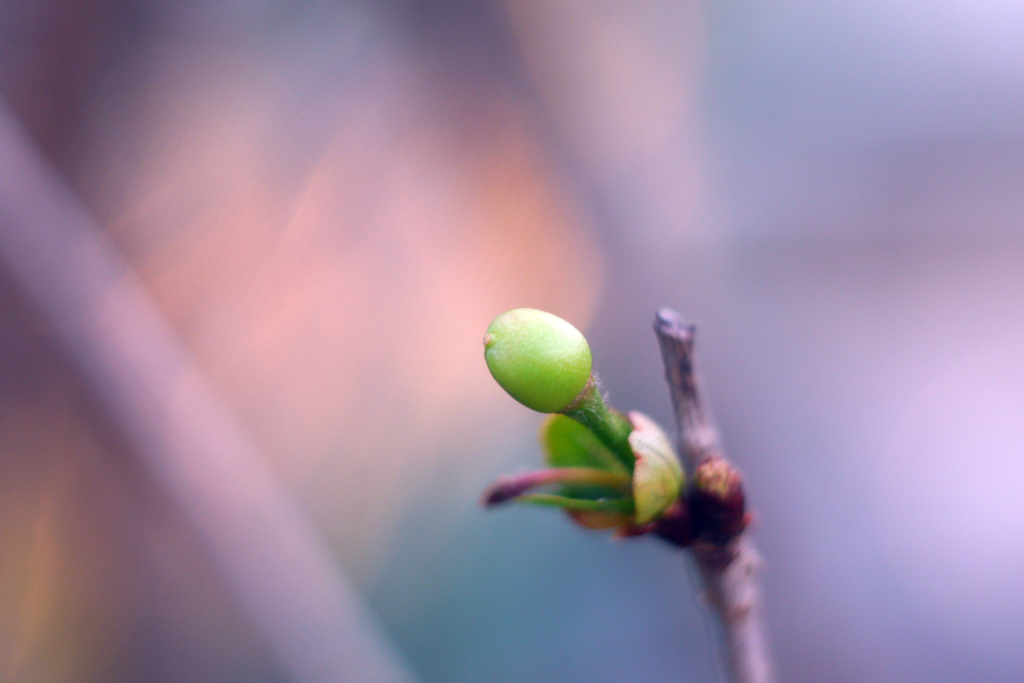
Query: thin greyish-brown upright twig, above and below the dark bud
{"points": [[729, 571]]}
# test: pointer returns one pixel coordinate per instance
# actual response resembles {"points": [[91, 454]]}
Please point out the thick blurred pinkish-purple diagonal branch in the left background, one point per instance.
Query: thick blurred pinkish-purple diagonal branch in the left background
{"points": [[266, 548]]}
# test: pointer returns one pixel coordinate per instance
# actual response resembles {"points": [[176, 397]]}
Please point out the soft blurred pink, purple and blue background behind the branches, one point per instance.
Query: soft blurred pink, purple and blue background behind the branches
{"points": [[328, 202]]}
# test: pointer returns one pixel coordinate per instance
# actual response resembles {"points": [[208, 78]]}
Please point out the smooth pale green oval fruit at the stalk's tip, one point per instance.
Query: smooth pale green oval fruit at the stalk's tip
{"points": [[542, 361]]}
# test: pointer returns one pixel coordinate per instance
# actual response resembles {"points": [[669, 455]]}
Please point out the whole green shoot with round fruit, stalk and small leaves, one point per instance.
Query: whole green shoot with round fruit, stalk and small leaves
{"points": [[606, 469]]}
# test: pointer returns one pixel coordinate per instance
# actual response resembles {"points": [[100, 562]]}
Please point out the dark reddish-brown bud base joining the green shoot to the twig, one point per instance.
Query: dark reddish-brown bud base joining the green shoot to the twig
{"points": [[714, 511]]}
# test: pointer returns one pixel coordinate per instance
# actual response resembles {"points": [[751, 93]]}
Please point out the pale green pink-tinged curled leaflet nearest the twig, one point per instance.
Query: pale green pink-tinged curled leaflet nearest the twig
{"points": [[658, 477]]}
